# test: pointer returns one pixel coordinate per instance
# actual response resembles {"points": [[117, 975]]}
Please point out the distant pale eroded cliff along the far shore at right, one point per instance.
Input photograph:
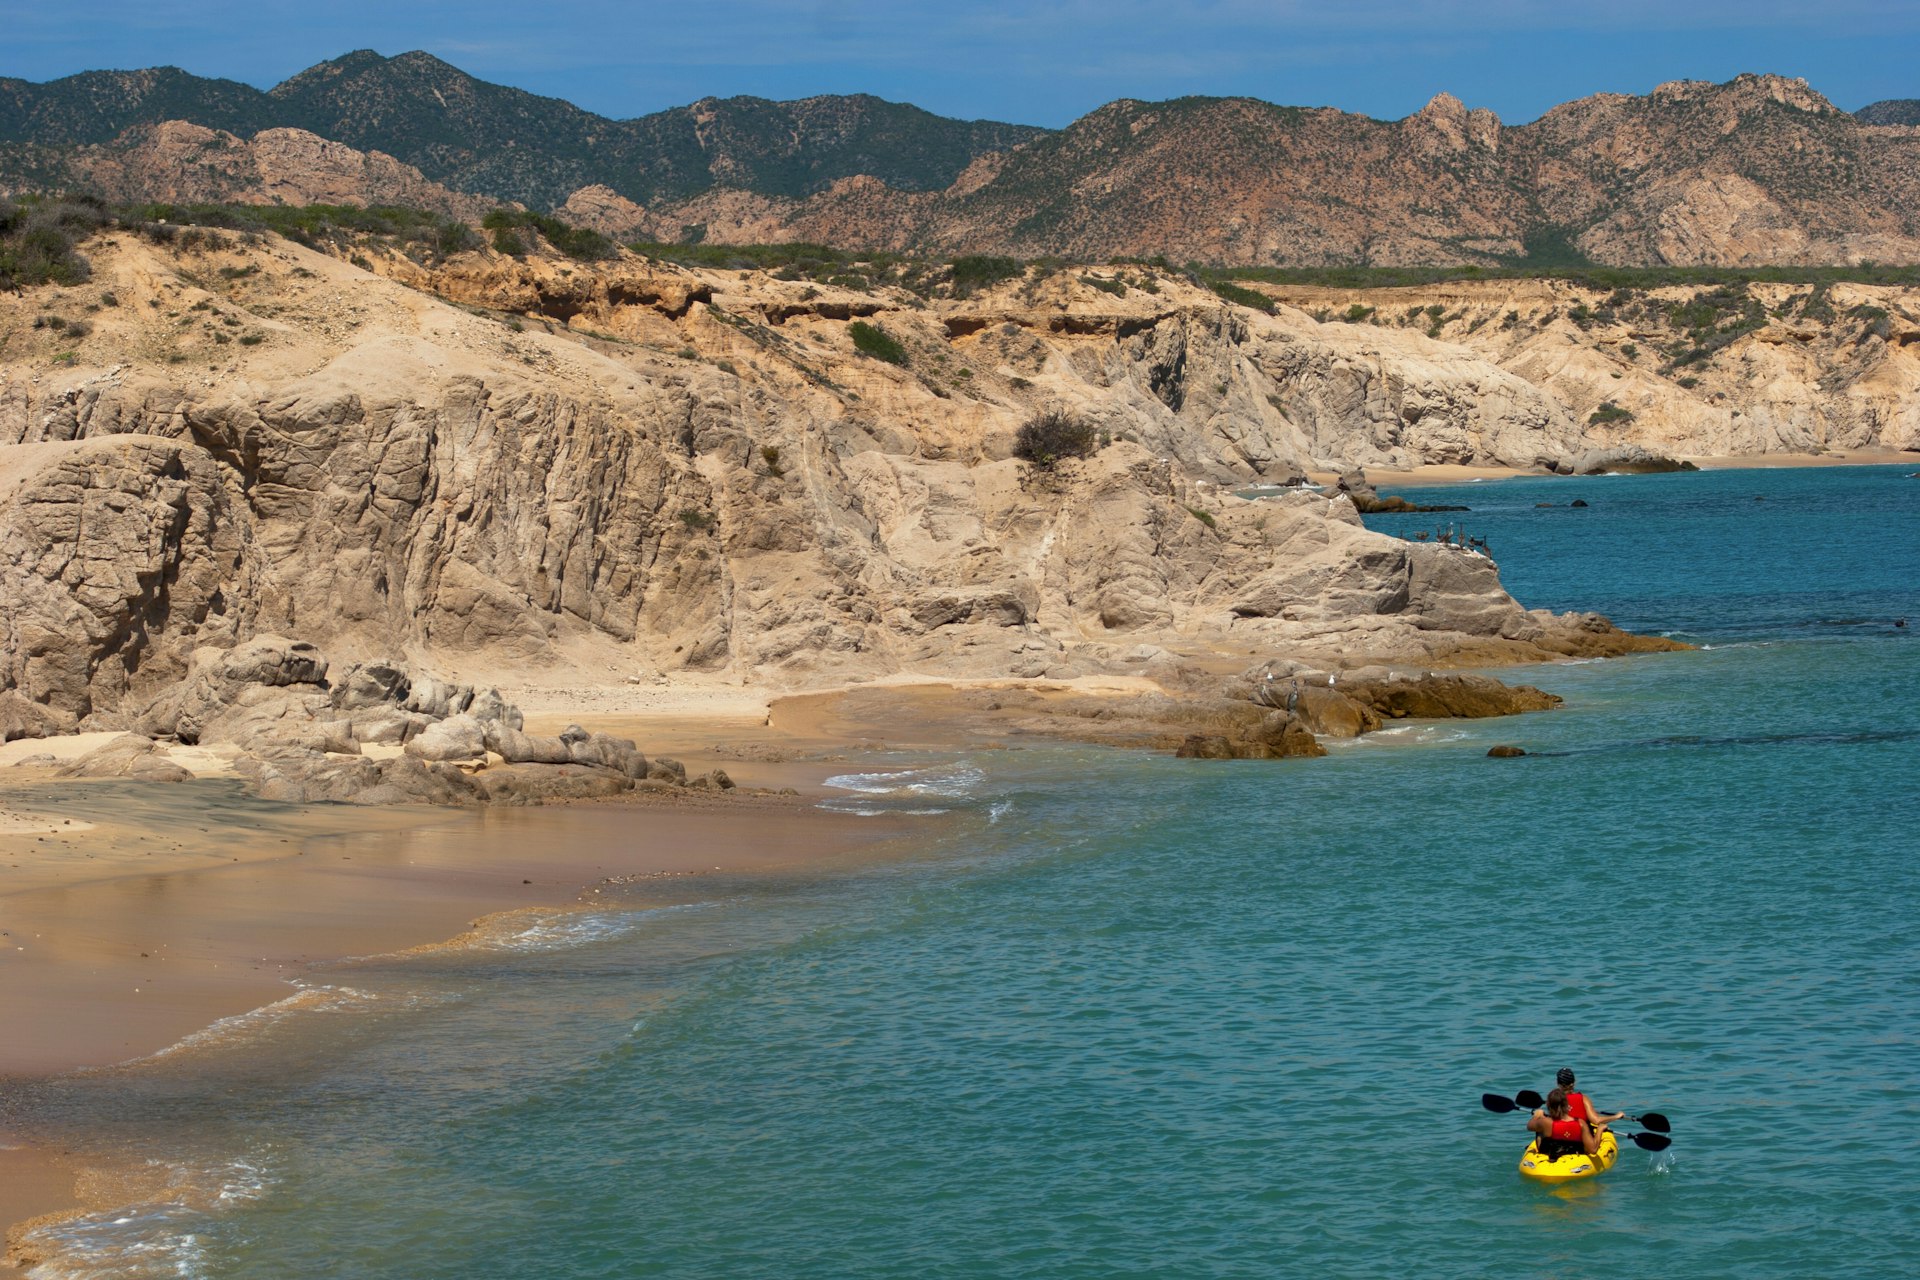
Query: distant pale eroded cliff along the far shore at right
{"points": [[1687, 371]]}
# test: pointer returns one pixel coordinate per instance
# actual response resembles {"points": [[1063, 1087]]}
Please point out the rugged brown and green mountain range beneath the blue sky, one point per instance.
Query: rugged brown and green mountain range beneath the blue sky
{"points": [[1760, 170]]}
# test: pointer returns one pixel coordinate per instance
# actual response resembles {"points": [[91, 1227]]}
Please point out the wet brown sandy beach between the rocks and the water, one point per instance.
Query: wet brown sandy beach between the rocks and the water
{"points": [[135, 914]]}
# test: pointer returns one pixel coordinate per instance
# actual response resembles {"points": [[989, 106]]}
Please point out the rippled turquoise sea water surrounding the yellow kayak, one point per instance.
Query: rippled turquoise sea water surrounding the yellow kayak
{"points": [[1128, 1016]]}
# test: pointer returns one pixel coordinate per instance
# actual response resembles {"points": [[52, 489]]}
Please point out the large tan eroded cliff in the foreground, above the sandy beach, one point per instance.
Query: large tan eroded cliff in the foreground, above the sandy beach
{"points": [[533, 465]]}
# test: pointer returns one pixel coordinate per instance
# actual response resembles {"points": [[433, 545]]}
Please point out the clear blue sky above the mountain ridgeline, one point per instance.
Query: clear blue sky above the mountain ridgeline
{"points": [[1042, 64]]}
